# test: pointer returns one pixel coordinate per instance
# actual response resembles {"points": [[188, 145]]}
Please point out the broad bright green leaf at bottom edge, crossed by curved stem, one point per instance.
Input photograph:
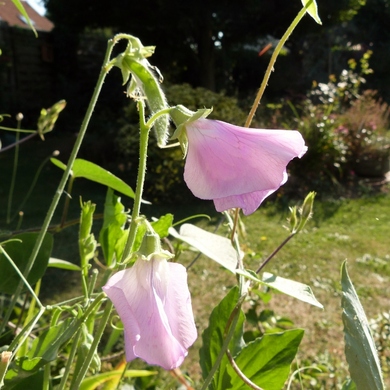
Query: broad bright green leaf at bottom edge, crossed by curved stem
{"points": [[266, 361]]}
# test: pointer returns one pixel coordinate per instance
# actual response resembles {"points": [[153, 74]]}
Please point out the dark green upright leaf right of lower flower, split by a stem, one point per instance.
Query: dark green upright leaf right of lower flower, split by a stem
{"points": [[214, 335]]}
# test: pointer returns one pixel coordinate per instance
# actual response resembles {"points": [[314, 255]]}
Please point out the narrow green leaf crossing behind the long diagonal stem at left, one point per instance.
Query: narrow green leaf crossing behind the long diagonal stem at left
{"points": [[91, 171]]}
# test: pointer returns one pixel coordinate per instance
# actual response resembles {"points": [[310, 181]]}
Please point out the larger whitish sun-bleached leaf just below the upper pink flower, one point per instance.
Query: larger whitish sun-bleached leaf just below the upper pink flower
{"points": [[215, 247]]}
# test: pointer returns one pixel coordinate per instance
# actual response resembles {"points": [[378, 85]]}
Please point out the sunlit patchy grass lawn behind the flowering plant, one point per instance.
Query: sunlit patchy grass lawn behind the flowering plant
{"points": [[356, 230]]}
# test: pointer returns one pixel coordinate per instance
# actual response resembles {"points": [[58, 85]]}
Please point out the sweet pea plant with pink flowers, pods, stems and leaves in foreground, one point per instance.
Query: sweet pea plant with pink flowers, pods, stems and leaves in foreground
{"points": [[236, 167]]}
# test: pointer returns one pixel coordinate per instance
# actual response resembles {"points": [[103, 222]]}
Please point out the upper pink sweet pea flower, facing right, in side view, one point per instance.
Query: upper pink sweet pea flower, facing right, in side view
{"points": [[237, 167]]}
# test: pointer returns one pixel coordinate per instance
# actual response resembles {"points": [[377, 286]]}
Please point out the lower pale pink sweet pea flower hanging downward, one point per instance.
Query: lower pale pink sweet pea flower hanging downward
{"points": [[154, 304]]}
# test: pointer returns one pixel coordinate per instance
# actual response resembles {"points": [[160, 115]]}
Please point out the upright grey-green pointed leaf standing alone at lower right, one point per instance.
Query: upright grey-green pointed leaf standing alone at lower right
{"points": [[360, 351]]}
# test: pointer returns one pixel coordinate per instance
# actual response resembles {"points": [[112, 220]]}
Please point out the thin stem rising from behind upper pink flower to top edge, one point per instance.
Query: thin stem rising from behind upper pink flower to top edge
{"points": [[272, 61]]}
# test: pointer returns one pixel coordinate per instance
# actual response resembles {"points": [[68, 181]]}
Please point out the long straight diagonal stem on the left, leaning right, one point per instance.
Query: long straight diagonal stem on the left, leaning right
{"points": [[103, 73]]}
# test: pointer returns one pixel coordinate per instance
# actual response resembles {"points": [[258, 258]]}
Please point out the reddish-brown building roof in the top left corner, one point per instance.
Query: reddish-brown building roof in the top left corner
{"points": [[10, 14]]}
